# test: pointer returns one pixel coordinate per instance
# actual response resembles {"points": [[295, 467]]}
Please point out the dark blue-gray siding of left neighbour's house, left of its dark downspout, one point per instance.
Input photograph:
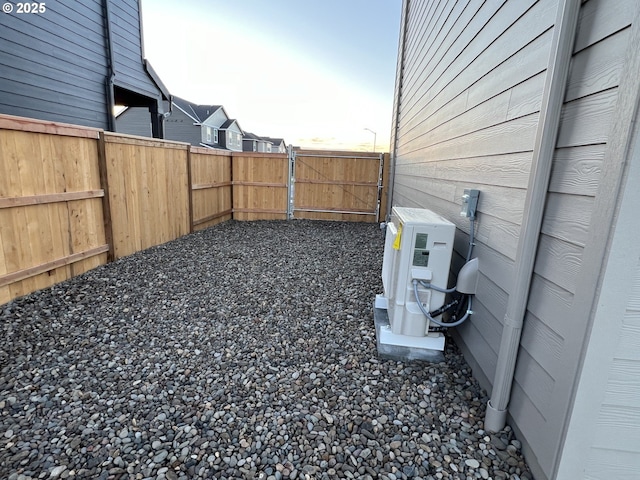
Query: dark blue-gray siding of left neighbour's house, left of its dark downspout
{"points": [[53, 65]]}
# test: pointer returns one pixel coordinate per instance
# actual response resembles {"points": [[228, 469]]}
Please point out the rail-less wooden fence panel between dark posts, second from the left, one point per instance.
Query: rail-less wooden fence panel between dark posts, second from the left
{"points": [[148, 193]]}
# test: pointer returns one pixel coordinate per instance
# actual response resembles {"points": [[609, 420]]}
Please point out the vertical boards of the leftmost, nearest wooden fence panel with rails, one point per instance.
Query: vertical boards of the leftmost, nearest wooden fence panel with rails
{"points": [[34, 235]]}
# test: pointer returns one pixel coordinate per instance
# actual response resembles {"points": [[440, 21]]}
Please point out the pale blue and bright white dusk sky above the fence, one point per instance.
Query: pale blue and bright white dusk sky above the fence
{"points": [[314, 72]]}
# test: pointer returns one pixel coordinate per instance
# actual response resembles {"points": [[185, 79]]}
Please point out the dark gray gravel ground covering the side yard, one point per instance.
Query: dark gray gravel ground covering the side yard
{"points": [[243, 351]]}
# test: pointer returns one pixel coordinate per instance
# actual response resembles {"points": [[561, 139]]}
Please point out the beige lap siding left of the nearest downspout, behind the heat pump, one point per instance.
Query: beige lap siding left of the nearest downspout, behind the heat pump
{"points": [[468, 118]]}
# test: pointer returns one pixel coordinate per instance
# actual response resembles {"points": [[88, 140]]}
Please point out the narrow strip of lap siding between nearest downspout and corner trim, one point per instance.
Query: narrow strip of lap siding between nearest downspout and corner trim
{"points": [[552, 333]]}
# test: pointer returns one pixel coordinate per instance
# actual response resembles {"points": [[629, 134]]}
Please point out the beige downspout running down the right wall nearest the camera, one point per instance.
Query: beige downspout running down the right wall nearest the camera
{"points": [[544, 147]]}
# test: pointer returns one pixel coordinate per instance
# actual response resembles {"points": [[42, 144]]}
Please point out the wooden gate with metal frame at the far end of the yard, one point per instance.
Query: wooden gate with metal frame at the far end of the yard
{"points": [[328, 185]]}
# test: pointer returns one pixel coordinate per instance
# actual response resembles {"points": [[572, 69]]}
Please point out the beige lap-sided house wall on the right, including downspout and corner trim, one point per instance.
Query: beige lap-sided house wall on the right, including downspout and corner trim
{"points": [[536, 105]]}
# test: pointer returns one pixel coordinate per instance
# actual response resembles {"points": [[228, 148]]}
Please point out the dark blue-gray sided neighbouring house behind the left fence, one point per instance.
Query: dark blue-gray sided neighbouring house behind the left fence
{"points": [[74, 65]]}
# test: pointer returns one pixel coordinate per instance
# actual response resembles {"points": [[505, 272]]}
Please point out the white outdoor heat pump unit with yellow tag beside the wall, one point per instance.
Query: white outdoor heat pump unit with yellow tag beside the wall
{"points": [[418, 245]]}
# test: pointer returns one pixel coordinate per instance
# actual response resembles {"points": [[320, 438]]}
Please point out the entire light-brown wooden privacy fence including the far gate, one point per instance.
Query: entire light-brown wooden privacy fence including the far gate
{"points": [[73, 198]]}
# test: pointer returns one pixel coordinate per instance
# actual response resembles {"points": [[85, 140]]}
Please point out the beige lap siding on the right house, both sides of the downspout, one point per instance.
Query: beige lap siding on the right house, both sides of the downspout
{"points": [[469, 101]]}
